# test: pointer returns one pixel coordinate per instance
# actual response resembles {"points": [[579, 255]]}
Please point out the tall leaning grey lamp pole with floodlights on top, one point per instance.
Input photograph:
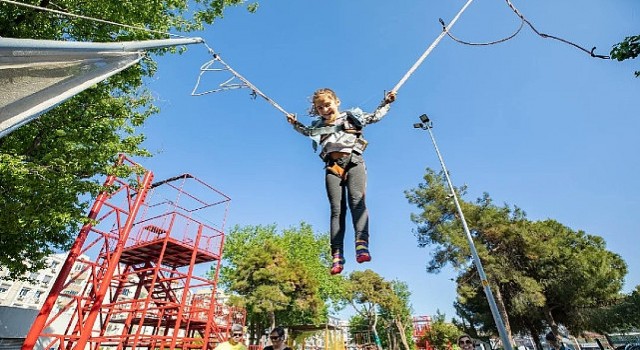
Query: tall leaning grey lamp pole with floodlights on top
{"points": [[497, 318]]}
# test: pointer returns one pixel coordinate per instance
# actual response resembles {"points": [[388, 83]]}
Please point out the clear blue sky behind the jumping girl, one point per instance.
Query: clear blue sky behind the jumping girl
{"points": [[533, 122]]}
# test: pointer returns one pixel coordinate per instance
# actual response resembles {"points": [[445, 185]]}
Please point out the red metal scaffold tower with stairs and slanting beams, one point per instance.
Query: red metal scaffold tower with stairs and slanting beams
{"points": [[138, 267]]}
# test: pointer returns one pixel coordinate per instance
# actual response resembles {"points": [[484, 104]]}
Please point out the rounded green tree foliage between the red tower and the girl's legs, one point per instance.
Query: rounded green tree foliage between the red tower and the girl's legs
{"points": [[281, 278]]}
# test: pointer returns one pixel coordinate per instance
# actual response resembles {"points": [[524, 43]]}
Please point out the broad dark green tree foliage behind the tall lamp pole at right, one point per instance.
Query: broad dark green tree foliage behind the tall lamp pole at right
{"points": [[538, 270]]}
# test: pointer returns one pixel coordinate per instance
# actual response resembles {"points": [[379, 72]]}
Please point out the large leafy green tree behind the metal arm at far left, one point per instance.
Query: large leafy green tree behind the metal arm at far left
{"points": [[50, 168]]}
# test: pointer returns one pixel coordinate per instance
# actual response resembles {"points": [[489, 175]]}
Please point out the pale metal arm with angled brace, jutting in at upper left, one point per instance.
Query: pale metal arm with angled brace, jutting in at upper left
{"points": [[37, 75]]}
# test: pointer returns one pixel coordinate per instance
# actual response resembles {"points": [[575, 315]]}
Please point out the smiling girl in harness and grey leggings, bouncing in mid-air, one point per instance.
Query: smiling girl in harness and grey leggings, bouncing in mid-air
{"points": [[340, 136]]}
